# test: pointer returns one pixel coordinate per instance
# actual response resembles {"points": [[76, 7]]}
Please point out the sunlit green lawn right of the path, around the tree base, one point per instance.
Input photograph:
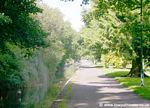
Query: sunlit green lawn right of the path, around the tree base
{"points": [[132, 83]]}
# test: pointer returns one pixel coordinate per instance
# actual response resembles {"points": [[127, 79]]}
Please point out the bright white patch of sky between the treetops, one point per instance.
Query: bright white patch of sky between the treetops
{"points": [[71, 10]]}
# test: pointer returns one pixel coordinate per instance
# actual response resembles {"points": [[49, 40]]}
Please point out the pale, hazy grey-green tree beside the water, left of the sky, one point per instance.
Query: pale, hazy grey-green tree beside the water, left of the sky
{"points": [[63, 40]]}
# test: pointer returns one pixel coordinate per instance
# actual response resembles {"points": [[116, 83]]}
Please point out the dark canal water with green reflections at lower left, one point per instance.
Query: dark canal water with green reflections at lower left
{"points": [[26, 98]]}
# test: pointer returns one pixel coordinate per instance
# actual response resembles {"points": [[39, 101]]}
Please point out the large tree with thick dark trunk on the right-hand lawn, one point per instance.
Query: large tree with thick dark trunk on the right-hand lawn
{"points": [[127, 12]]}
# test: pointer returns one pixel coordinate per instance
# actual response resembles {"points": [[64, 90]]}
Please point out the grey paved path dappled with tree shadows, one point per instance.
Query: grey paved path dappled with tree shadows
{"points": [[91, 89]]}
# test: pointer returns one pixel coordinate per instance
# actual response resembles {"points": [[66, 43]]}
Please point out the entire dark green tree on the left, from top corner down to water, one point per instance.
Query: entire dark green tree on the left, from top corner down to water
{"points": [[17, 27]]}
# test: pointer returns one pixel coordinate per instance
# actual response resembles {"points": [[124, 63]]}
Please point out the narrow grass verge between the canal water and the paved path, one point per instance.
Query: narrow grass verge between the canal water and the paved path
{"points": [[55, 89]]}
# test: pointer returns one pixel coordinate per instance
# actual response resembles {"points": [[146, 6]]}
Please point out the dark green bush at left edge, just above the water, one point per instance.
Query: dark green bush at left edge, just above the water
{"points": [[9, 76]]}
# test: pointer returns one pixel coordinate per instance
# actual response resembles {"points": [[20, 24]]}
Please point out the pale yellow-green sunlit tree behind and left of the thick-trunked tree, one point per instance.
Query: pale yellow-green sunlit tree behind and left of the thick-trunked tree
{"points": [[105, 36]]}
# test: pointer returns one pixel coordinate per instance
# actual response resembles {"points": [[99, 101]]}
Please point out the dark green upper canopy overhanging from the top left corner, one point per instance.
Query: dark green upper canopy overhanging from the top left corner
{"points": [[23, 29]]}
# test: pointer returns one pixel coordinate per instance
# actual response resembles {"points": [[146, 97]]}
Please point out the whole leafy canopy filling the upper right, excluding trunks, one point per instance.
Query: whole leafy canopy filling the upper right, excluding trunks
{"points": [[119, 28]]}
